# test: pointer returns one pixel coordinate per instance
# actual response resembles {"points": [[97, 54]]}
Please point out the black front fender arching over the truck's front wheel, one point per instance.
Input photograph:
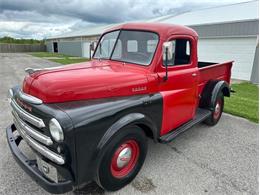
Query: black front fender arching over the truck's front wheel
{"points": [[96, 121]]}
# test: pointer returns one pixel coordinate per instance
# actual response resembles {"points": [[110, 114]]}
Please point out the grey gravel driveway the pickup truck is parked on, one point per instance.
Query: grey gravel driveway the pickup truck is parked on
{"points": [[204, 160]]}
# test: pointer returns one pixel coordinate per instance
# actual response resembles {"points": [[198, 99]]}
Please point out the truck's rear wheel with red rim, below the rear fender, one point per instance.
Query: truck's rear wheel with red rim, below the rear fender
{"points": [[216, 115]]}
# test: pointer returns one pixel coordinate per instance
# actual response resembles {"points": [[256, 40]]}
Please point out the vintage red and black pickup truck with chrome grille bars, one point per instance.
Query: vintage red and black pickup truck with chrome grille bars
{"points": [[91, 121]]}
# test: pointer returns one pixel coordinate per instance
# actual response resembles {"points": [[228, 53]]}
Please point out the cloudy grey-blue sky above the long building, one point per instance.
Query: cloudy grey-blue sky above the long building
{"points": [[39, 19]]}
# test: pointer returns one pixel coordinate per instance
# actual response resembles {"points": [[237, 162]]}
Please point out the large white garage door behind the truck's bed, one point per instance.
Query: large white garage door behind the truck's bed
{"points": [[241, 50]]}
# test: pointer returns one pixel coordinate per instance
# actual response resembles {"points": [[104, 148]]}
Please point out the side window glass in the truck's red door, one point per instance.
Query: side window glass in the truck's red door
{"points": [[181, 52]]}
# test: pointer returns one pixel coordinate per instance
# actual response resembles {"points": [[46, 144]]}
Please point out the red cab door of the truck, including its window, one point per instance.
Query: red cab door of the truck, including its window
{"points": [[180, 90]]}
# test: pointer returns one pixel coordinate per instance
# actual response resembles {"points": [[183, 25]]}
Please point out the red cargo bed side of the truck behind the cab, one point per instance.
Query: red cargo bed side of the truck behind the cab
{"points": [[213, 71]]}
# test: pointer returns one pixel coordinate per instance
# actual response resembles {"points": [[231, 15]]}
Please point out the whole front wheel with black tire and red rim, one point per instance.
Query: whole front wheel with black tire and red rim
{"points": [[123, 158]]}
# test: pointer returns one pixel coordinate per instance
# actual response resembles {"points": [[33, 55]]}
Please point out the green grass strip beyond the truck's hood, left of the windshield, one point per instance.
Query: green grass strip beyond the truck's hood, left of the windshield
{"points": [[59, 58]]}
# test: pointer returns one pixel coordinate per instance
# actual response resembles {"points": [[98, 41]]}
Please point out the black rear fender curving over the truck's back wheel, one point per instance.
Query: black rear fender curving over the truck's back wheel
{"points": [[211, 92]]}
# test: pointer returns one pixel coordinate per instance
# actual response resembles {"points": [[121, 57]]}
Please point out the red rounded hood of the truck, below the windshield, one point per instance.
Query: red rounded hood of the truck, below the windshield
{"points": [[91, 80]]}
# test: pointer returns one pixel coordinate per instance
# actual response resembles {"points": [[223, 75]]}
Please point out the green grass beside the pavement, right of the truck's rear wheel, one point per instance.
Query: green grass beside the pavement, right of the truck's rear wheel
{"points": [[244, 102]]}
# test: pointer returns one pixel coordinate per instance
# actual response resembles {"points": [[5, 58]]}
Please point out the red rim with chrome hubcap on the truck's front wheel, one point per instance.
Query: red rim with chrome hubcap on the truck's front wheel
{"points": [[125, 159]]}
